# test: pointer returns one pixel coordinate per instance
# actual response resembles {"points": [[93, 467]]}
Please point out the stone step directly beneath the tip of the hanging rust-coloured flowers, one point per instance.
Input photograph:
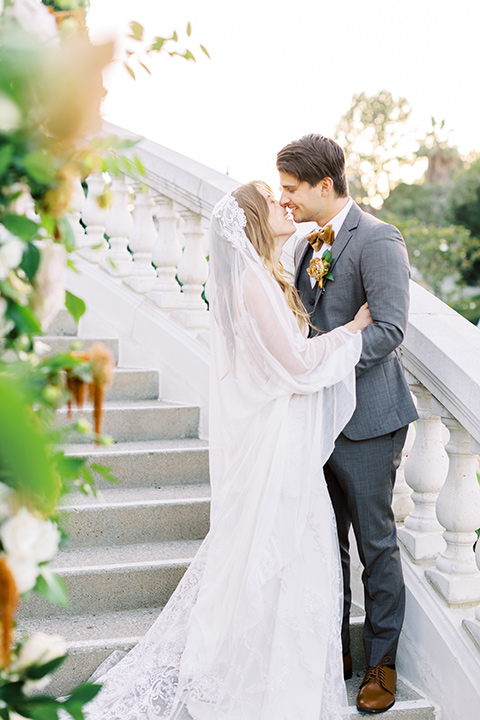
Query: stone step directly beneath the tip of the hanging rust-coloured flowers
{"points": [[150, 464]]}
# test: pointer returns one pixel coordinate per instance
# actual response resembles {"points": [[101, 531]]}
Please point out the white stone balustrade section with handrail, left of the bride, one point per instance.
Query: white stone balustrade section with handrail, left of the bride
{"points": [[157, 240]]}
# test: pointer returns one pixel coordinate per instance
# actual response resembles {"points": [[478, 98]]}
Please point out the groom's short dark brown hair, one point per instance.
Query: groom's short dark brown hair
{"points": [[313, 158]]}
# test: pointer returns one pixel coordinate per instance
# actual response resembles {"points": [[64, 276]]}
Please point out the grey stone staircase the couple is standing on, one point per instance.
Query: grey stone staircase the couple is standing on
{"points": [[128, 549]]}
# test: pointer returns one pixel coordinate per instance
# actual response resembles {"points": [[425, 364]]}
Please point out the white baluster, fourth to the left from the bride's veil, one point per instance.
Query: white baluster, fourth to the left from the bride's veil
{"points": [[118, 260]]}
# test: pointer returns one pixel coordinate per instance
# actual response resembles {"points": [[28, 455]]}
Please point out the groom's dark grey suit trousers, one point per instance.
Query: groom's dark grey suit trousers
{"points": [[360, 476]]}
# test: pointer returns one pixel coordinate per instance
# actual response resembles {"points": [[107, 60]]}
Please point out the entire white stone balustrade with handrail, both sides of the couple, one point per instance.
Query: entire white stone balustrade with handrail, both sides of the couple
{"points": [[157, 247]]}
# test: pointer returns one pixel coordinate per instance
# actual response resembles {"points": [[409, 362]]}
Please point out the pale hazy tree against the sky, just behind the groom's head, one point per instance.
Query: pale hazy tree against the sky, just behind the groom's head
{"points": [[371, 133]]}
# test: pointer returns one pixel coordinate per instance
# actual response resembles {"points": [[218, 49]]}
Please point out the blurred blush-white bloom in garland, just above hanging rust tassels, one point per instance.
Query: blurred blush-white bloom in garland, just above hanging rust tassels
{"points": [[50, 282]]}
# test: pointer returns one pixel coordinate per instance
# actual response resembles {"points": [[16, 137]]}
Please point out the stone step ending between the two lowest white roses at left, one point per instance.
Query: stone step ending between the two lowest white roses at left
{"points": [[118, 578]]}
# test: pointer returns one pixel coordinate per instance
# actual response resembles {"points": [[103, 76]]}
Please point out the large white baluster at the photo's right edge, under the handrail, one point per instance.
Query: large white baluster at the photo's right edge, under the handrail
{"points": [[456, 575]]}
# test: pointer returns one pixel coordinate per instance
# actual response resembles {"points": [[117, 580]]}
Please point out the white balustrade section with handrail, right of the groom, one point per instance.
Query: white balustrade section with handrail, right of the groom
{"points": [[438, 530]]}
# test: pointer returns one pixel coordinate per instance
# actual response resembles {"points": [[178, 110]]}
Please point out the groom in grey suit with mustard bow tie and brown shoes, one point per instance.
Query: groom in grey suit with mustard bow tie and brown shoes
{"points": [[366, 261]]}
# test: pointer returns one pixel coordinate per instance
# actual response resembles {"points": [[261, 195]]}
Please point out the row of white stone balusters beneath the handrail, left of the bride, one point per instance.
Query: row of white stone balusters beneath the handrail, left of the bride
{"points": [[146, 247]]}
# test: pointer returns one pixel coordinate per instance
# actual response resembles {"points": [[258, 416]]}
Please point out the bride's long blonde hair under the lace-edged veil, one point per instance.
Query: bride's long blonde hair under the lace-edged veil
{"points": [[262, 237]]}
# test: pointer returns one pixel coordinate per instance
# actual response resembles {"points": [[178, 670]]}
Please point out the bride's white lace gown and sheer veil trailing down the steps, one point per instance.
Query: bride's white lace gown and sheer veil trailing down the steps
{"points": [[253, 630]]}
